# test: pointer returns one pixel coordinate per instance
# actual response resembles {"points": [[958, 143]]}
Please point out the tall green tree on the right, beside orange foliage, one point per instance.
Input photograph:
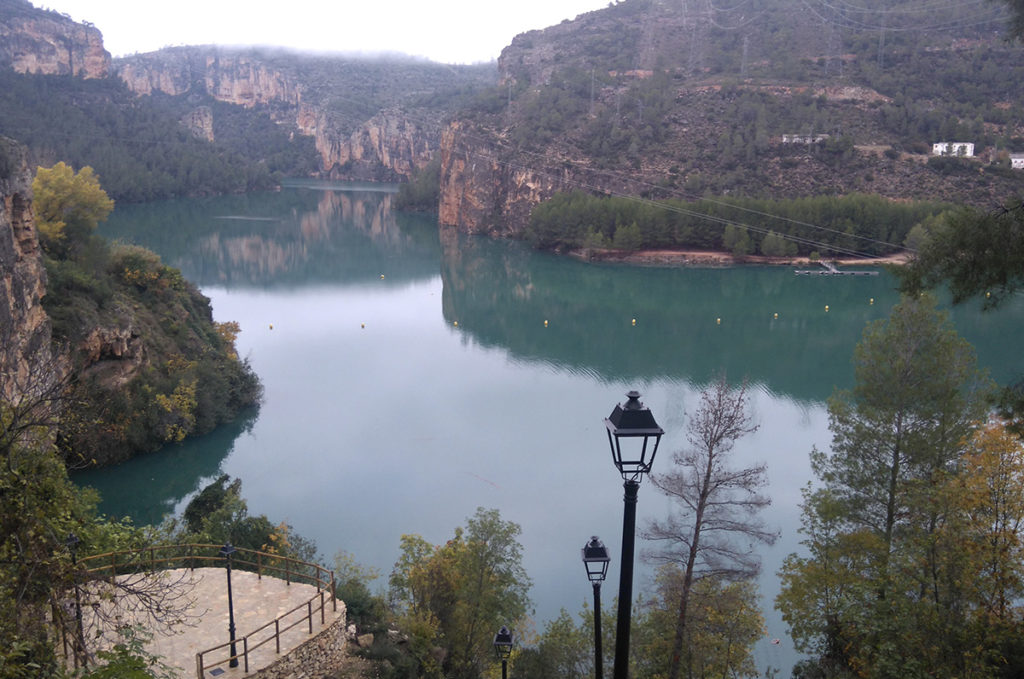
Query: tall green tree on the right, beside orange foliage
{"points": [[888, 585]]}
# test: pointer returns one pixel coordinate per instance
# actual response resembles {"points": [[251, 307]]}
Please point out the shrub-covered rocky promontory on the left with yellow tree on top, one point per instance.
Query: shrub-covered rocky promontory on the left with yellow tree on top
{"points": [[151, 366]]}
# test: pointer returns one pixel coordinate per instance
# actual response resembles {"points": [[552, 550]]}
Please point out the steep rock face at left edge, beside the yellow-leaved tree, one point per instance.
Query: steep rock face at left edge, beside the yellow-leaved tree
{"points": [[25, 328]]}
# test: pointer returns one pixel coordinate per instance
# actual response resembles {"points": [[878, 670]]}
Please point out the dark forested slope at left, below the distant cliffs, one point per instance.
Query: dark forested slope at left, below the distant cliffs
{"points": [[140, 150]]}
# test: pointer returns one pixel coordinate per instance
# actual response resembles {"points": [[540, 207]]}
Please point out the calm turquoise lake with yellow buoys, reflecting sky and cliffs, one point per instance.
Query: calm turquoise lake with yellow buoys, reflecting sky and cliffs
{"points": [[414, 375]]}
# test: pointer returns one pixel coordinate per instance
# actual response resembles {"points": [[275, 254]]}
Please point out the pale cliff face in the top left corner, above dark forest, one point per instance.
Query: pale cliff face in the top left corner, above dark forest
{"points": [[48, 43]]}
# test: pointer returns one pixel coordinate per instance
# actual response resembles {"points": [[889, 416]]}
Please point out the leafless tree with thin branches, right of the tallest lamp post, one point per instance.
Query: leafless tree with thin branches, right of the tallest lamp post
{"points": [[714, 533]]}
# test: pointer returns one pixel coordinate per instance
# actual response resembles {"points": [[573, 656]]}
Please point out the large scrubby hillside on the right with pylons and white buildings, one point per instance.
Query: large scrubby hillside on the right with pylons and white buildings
{"points": [[774, 100]]}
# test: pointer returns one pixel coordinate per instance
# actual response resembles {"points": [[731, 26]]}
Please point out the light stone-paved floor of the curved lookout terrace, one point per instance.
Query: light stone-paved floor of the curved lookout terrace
{"points": [[258, 602]]}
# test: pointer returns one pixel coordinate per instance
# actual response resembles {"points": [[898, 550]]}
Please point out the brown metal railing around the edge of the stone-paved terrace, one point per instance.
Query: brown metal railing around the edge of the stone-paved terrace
{"points": [[111, 565]]}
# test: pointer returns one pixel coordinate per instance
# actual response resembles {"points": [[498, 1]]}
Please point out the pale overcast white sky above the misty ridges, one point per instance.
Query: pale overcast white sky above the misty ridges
{"points": [[448, 31]]}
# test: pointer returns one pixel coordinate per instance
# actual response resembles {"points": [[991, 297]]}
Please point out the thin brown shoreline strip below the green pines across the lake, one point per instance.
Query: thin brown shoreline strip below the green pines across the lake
{"points": [[719, 260]]}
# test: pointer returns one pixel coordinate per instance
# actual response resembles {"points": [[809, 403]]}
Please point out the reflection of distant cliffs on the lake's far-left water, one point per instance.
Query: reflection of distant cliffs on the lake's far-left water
{"points": [[297, 237]]}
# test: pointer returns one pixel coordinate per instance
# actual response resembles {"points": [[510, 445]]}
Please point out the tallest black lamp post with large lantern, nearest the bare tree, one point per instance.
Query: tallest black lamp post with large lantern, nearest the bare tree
{"points": [[631, 429]]}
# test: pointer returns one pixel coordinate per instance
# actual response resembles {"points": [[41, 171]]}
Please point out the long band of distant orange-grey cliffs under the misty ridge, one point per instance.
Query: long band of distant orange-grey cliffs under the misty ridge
{"points": [[388, 147]]}
